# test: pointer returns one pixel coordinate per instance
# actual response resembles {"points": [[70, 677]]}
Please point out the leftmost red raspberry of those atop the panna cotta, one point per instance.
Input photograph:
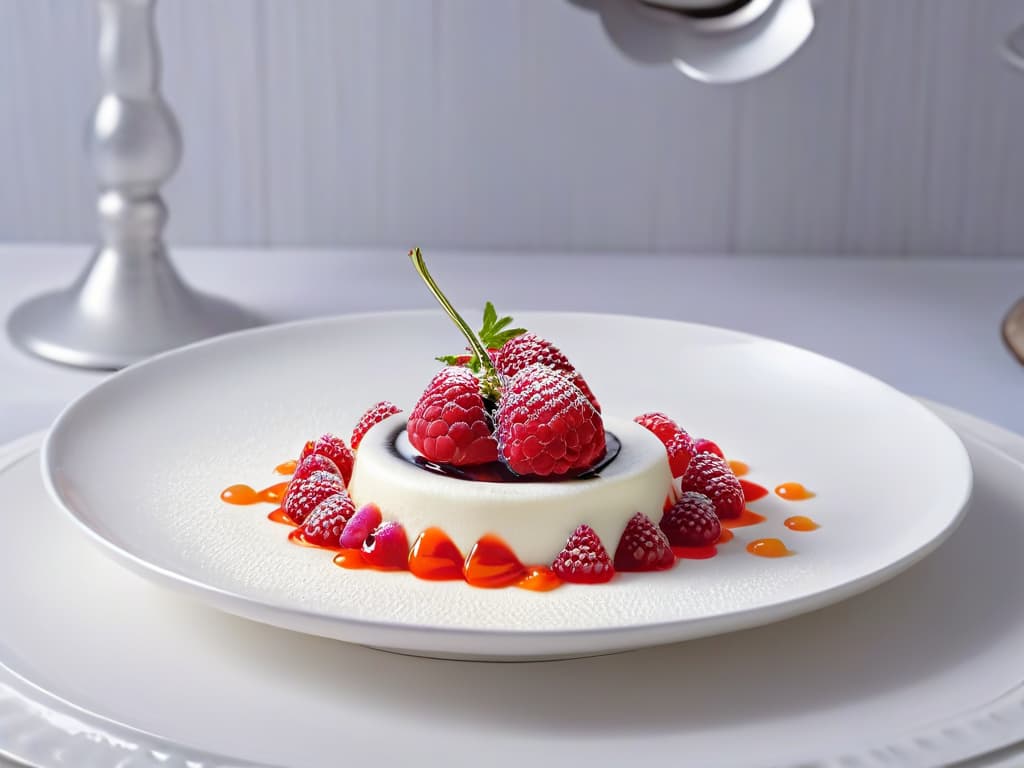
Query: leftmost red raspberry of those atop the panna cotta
{"points": [[450, 424]]}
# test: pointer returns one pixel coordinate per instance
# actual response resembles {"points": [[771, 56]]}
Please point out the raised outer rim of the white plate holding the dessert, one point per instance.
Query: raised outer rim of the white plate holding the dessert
{"points": [[627, 637]]}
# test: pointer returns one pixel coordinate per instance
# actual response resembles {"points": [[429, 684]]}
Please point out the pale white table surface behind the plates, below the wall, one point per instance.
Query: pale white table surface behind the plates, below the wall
{"points": [[930, 328]]}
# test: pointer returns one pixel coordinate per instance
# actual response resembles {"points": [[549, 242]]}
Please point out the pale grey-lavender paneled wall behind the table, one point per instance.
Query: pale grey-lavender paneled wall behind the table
{"points": [[517, 124]]}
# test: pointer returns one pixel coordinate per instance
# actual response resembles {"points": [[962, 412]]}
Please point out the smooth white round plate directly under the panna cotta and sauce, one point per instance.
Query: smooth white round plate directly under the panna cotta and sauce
{"points": [[140, 463]]}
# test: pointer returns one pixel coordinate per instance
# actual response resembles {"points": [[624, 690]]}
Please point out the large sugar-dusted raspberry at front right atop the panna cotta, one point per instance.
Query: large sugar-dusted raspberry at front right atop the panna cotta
{"points": [[546, 426]]}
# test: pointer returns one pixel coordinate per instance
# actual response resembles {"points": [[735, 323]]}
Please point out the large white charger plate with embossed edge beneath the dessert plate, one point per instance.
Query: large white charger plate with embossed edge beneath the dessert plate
{"points": [[101, 668]]}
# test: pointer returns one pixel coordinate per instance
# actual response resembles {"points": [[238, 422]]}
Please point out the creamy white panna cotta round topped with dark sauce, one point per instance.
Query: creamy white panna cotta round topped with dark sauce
{"points": [[535, 519]]}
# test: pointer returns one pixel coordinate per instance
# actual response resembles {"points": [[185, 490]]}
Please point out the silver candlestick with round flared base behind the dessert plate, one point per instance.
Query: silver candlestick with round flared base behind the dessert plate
{"points": [[130, 304]]}
